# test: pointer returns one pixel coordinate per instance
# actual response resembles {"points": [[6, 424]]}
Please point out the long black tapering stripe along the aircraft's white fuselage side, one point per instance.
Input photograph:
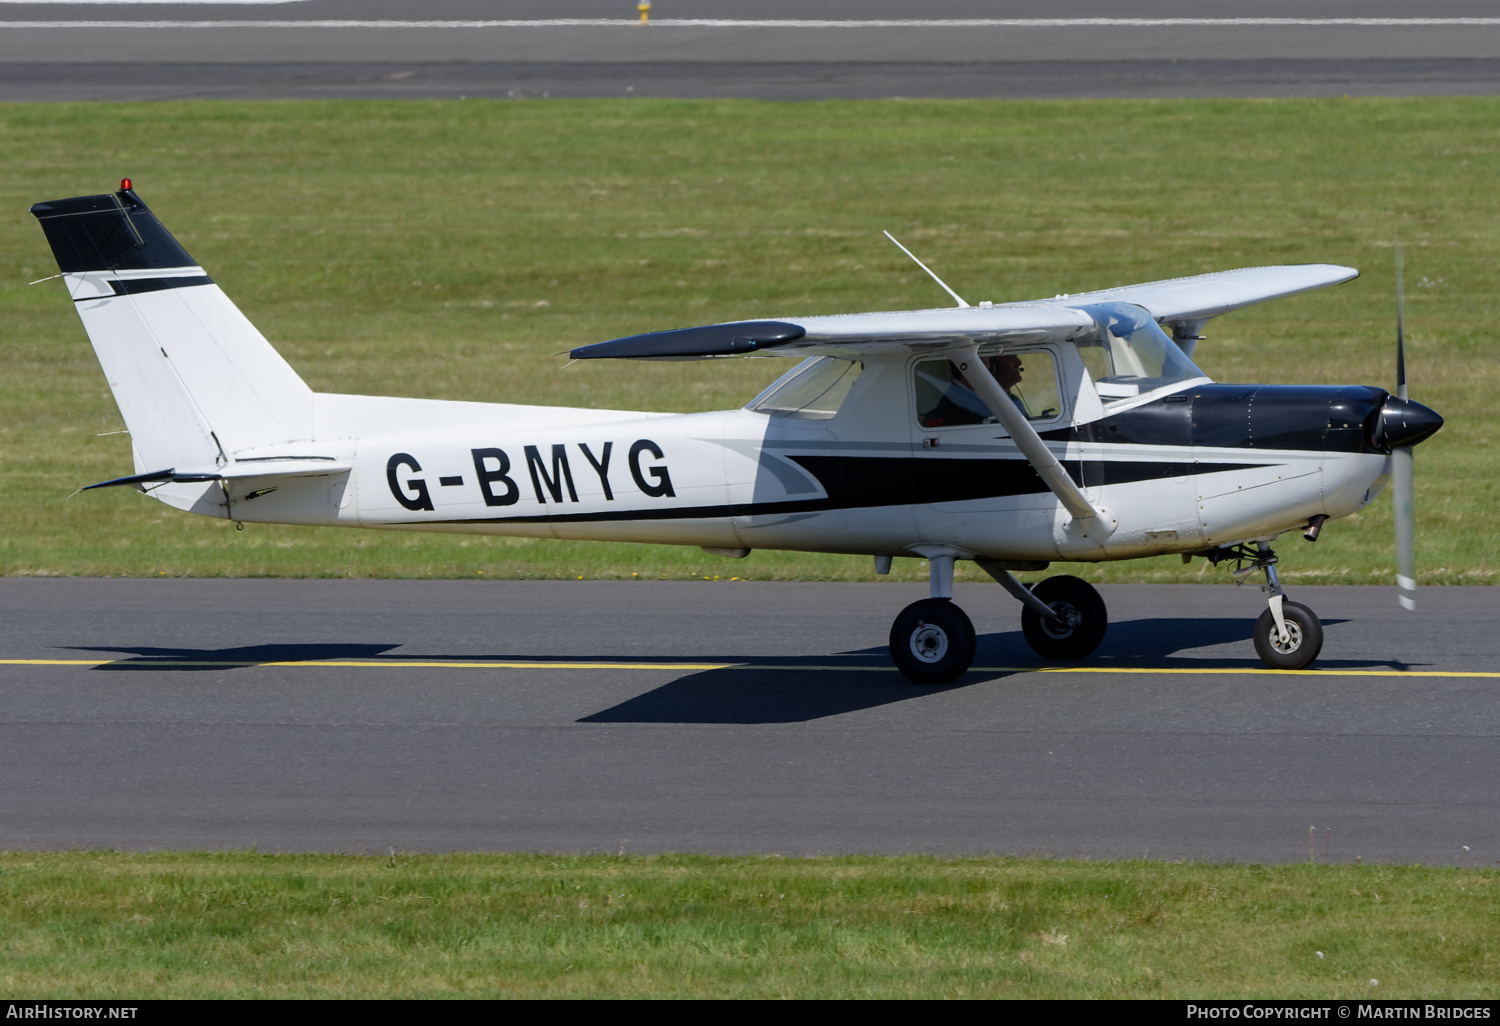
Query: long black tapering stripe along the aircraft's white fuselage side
{"points": [[865, 482]]}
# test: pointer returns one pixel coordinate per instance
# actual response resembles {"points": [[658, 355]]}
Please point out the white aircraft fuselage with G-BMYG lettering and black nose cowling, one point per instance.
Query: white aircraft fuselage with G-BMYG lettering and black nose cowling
{"points": [[1196, 467]]}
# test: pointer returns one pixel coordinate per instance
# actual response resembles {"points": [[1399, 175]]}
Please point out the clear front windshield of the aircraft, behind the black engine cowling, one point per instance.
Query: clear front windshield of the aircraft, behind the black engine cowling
{"points": [[1130, 353]]}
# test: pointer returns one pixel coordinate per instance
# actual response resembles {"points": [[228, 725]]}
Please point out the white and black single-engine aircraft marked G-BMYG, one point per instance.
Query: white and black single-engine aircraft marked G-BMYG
{"points": [[1013, 436]]}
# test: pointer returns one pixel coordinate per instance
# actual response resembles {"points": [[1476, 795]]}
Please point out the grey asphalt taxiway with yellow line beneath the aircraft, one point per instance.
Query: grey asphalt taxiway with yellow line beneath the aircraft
{"points": [[734, 718]]}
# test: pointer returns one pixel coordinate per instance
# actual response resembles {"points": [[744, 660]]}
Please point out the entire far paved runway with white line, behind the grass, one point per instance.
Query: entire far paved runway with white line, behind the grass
{"points": [[769, 50]]}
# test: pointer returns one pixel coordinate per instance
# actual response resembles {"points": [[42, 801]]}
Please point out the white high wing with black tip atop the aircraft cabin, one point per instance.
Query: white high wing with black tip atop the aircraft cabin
{"points": [[1187, 302]]}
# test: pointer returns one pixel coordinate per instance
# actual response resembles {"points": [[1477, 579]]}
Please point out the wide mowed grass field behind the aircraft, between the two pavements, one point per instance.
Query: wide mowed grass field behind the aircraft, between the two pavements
{"points": [[455, 248]]}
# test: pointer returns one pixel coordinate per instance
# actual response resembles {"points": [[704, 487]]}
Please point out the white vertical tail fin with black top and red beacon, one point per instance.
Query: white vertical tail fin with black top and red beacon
{"points": [[194, 380]]}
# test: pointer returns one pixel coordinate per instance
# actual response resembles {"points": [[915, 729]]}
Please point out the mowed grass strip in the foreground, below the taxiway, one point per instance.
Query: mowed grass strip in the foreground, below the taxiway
{"points": [[689, 926]]}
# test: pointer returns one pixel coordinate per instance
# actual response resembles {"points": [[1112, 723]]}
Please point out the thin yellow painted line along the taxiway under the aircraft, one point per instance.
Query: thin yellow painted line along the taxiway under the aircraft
{"points": [[563, 665]]}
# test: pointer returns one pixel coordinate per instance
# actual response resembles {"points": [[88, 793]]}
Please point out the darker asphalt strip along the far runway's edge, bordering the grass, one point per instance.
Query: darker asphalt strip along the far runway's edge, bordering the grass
{"points": [[742, 80]]}
